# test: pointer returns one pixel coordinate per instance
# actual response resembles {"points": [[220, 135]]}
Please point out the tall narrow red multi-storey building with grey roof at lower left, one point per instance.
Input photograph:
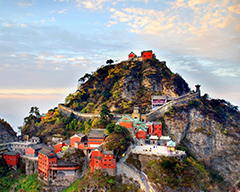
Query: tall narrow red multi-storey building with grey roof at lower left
{"points": [[46, 158]]}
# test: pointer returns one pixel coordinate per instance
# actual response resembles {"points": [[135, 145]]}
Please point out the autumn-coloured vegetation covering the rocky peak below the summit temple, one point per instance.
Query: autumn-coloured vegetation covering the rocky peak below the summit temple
{"points": [[105, 86]]}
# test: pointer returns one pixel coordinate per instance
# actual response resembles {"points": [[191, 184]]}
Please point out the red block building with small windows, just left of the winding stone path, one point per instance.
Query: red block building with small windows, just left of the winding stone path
{"points": [[103, 160]]}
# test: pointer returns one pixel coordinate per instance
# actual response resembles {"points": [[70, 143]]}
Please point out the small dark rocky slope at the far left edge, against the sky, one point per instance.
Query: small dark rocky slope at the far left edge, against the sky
{"points": [[7, 134]]}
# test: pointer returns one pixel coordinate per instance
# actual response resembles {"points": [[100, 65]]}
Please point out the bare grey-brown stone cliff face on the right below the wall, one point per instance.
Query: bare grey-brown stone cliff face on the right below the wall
{"points": [[206, 140]]}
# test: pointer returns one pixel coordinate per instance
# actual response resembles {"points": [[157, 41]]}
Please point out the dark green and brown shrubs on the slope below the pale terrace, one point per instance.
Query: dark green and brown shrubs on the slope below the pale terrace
{"points": [[175, 174]]}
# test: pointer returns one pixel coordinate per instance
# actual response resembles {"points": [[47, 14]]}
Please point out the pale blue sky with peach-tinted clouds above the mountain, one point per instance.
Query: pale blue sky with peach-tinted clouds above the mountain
{"points": [[47, 45]]}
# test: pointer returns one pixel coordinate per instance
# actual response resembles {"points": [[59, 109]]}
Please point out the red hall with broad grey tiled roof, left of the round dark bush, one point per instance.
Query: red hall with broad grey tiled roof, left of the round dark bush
{"points": [[95, 138]]}
